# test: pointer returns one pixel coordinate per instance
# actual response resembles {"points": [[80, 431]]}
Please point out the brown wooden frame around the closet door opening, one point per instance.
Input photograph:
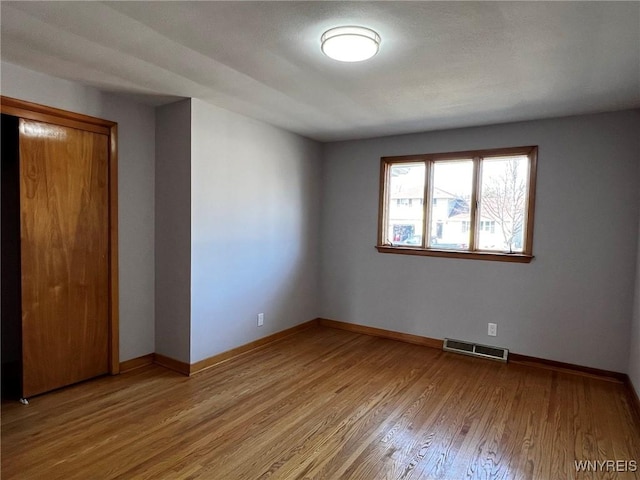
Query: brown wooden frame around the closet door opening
{"points": [[56, 116]]}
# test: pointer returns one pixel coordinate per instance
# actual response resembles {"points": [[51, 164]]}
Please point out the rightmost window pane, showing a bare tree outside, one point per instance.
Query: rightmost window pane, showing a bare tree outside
{"points": [[503, 203]]}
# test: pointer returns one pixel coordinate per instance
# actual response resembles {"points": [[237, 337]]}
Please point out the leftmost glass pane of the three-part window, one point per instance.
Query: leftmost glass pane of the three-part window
{"points": [[406, 199]]}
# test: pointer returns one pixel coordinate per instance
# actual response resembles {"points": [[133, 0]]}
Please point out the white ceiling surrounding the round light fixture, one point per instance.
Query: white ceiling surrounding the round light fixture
{"points": [[440, 65]]}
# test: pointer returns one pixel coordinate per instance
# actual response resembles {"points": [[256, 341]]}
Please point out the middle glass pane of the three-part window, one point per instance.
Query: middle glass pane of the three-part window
{"points": [[450, 214]]}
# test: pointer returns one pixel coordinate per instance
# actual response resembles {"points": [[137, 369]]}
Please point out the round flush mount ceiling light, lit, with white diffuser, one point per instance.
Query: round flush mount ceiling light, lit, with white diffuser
{"points": [[350, 44]]}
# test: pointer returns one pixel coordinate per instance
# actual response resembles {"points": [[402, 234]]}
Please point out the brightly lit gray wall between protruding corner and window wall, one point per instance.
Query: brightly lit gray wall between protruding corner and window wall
{"points": [[255, 196]]}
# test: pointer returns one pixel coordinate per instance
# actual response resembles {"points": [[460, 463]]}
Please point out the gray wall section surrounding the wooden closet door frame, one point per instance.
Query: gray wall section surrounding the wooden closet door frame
{"points": [[136, 157]]}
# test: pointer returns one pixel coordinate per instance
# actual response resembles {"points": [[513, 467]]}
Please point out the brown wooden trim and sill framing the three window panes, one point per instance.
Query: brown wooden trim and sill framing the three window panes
{"points": [[385, 174]]}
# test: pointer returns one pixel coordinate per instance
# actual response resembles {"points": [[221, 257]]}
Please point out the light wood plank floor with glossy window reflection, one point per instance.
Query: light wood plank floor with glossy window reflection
{"points": [[326, 404]]}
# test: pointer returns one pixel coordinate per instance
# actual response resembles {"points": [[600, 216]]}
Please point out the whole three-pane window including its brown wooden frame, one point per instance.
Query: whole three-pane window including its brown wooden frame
{"points": [[475, 204]]}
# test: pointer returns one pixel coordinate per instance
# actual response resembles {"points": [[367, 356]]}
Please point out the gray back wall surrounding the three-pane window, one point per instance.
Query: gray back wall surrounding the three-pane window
{"points": [[573, 303]]}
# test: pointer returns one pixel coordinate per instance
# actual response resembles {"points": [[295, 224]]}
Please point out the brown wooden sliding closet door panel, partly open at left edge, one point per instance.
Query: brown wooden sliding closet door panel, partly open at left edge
{"points": [[64, 212]]}
